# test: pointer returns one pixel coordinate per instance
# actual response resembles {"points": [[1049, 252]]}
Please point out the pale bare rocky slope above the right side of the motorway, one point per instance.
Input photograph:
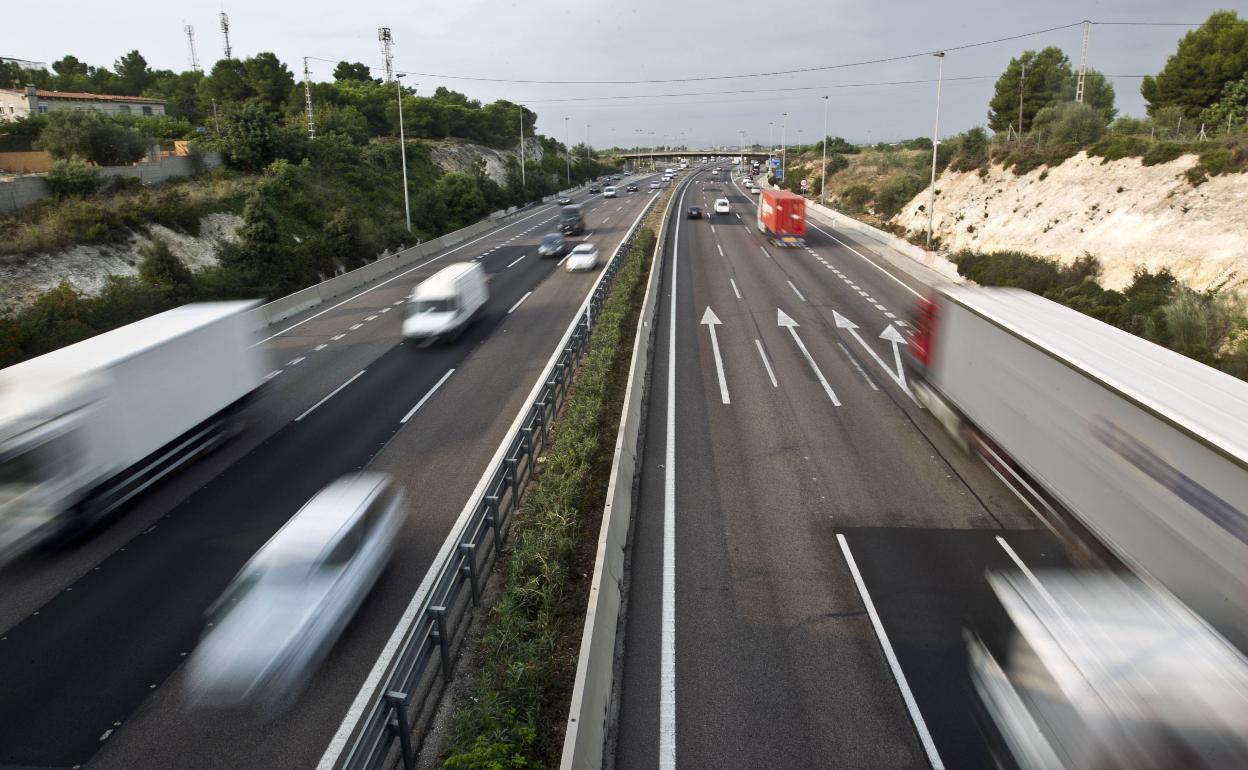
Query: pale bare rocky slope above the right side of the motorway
{"points": [[1124, 213]]}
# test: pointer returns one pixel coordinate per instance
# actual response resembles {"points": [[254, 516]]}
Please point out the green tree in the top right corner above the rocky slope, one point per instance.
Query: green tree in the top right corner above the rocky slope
{"points": [[1207, 59]]}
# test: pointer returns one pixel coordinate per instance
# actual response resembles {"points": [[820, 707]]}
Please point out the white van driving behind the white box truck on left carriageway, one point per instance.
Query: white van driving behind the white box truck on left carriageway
{"points": [[446, 303]]}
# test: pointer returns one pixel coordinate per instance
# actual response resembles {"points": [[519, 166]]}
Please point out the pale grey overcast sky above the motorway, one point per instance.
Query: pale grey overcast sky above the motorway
{"points": [[647, 41]]}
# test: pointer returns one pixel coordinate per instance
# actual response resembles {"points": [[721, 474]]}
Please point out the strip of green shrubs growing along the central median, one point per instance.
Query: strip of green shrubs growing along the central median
{"points": [[519, 701]]}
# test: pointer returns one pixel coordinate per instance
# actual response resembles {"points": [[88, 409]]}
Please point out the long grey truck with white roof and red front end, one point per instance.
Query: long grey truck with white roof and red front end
{"points": [[1131, 445]]}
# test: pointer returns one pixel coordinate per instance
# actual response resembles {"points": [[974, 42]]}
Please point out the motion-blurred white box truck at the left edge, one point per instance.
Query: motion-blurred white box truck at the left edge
{"points": [[85, 429]]}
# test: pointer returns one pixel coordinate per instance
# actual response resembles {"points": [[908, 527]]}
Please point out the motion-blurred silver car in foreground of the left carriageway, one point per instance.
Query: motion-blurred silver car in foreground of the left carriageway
{"points": [[286, 608]]}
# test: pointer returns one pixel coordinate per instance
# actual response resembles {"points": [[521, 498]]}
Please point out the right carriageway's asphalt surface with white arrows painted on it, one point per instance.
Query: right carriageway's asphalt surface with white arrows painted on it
{"points": [[809, 545]]}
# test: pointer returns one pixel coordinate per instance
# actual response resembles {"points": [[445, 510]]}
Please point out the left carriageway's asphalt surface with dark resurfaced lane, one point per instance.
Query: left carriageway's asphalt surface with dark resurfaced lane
{"points": [[93, 638]]}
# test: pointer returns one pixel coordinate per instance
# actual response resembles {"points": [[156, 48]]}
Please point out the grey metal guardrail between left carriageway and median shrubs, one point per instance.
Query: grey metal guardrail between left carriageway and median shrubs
{"points": [[412, 686]]}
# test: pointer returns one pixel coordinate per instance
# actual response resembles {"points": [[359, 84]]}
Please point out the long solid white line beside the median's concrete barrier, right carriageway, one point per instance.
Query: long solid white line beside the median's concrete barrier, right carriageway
{"points": [[668, 635]]}
